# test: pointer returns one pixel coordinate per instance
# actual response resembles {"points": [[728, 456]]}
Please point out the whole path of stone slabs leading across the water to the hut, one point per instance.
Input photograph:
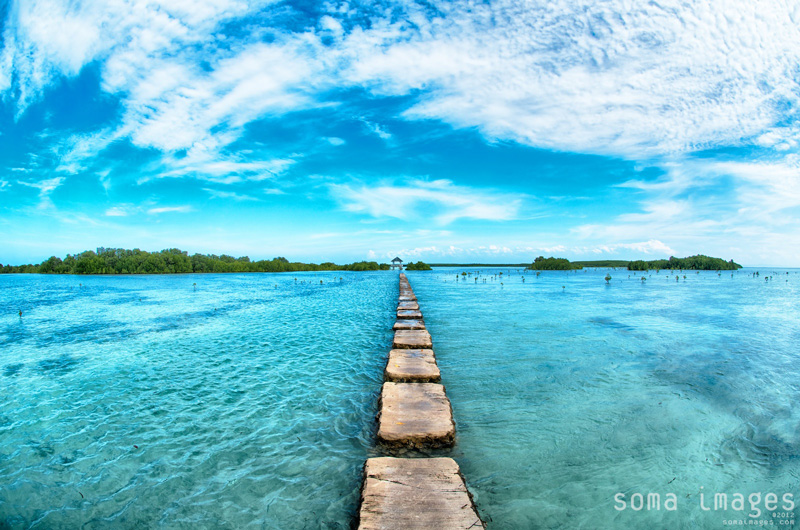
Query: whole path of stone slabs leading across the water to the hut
{"points": [[422, 493]]}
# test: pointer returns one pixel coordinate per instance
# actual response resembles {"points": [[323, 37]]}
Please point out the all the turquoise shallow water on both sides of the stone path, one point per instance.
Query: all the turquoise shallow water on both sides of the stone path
{"points": [[132, 402]]}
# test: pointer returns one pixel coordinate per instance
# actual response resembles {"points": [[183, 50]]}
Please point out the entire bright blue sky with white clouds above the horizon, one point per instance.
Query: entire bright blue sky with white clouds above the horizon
{"points": [[456, 131]]}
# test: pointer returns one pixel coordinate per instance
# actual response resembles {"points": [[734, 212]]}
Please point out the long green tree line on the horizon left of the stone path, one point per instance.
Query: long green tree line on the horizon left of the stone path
{"points": [[173, 261]]}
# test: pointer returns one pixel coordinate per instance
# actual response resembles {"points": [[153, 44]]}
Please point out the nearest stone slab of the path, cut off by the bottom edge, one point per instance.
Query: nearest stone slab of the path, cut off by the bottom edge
{"points": [[416, 494]]}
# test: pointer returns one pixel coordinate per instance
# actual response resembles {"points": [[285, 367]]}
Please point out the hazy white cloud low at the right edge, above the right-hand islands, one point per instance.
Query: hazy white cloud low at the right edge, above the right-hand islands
{"points": [[695, 208]]}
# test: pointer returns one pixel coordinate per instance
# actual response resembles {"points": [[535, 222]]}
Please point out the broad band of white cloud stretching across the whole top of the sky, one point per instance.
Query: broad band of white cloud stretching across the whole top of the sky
{"points": [[636, 80]]}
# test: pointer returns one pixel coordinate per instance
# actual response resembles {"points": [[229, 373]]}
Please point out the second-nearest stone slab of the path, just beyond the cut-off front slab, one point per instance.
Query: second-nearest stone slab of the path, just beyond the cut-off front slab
{"points": [[416, 415]]}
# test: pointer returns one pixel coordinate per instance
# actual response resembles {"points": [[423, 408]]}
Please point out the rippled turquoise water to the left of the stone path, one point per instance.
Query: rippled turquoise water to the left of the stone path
{"points": [[138, 402]]}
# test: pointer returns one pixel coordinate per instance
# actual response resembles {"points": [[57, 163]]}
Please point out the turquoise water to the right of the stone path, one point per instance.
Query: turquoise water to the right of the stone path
{"points": [[568, 391]]}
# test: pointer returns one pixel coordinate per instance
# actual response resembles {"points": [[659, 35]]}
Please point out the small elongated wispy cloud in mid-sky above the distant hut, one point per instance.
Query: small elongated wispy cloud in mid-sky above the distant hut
{"points": [[441, 200]]}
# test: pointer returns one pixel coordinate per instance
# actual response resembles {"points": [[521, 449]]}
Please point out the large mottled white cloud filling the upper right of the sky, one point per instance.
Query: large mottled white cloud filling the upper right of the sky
{"points": [[635, 80]]}
